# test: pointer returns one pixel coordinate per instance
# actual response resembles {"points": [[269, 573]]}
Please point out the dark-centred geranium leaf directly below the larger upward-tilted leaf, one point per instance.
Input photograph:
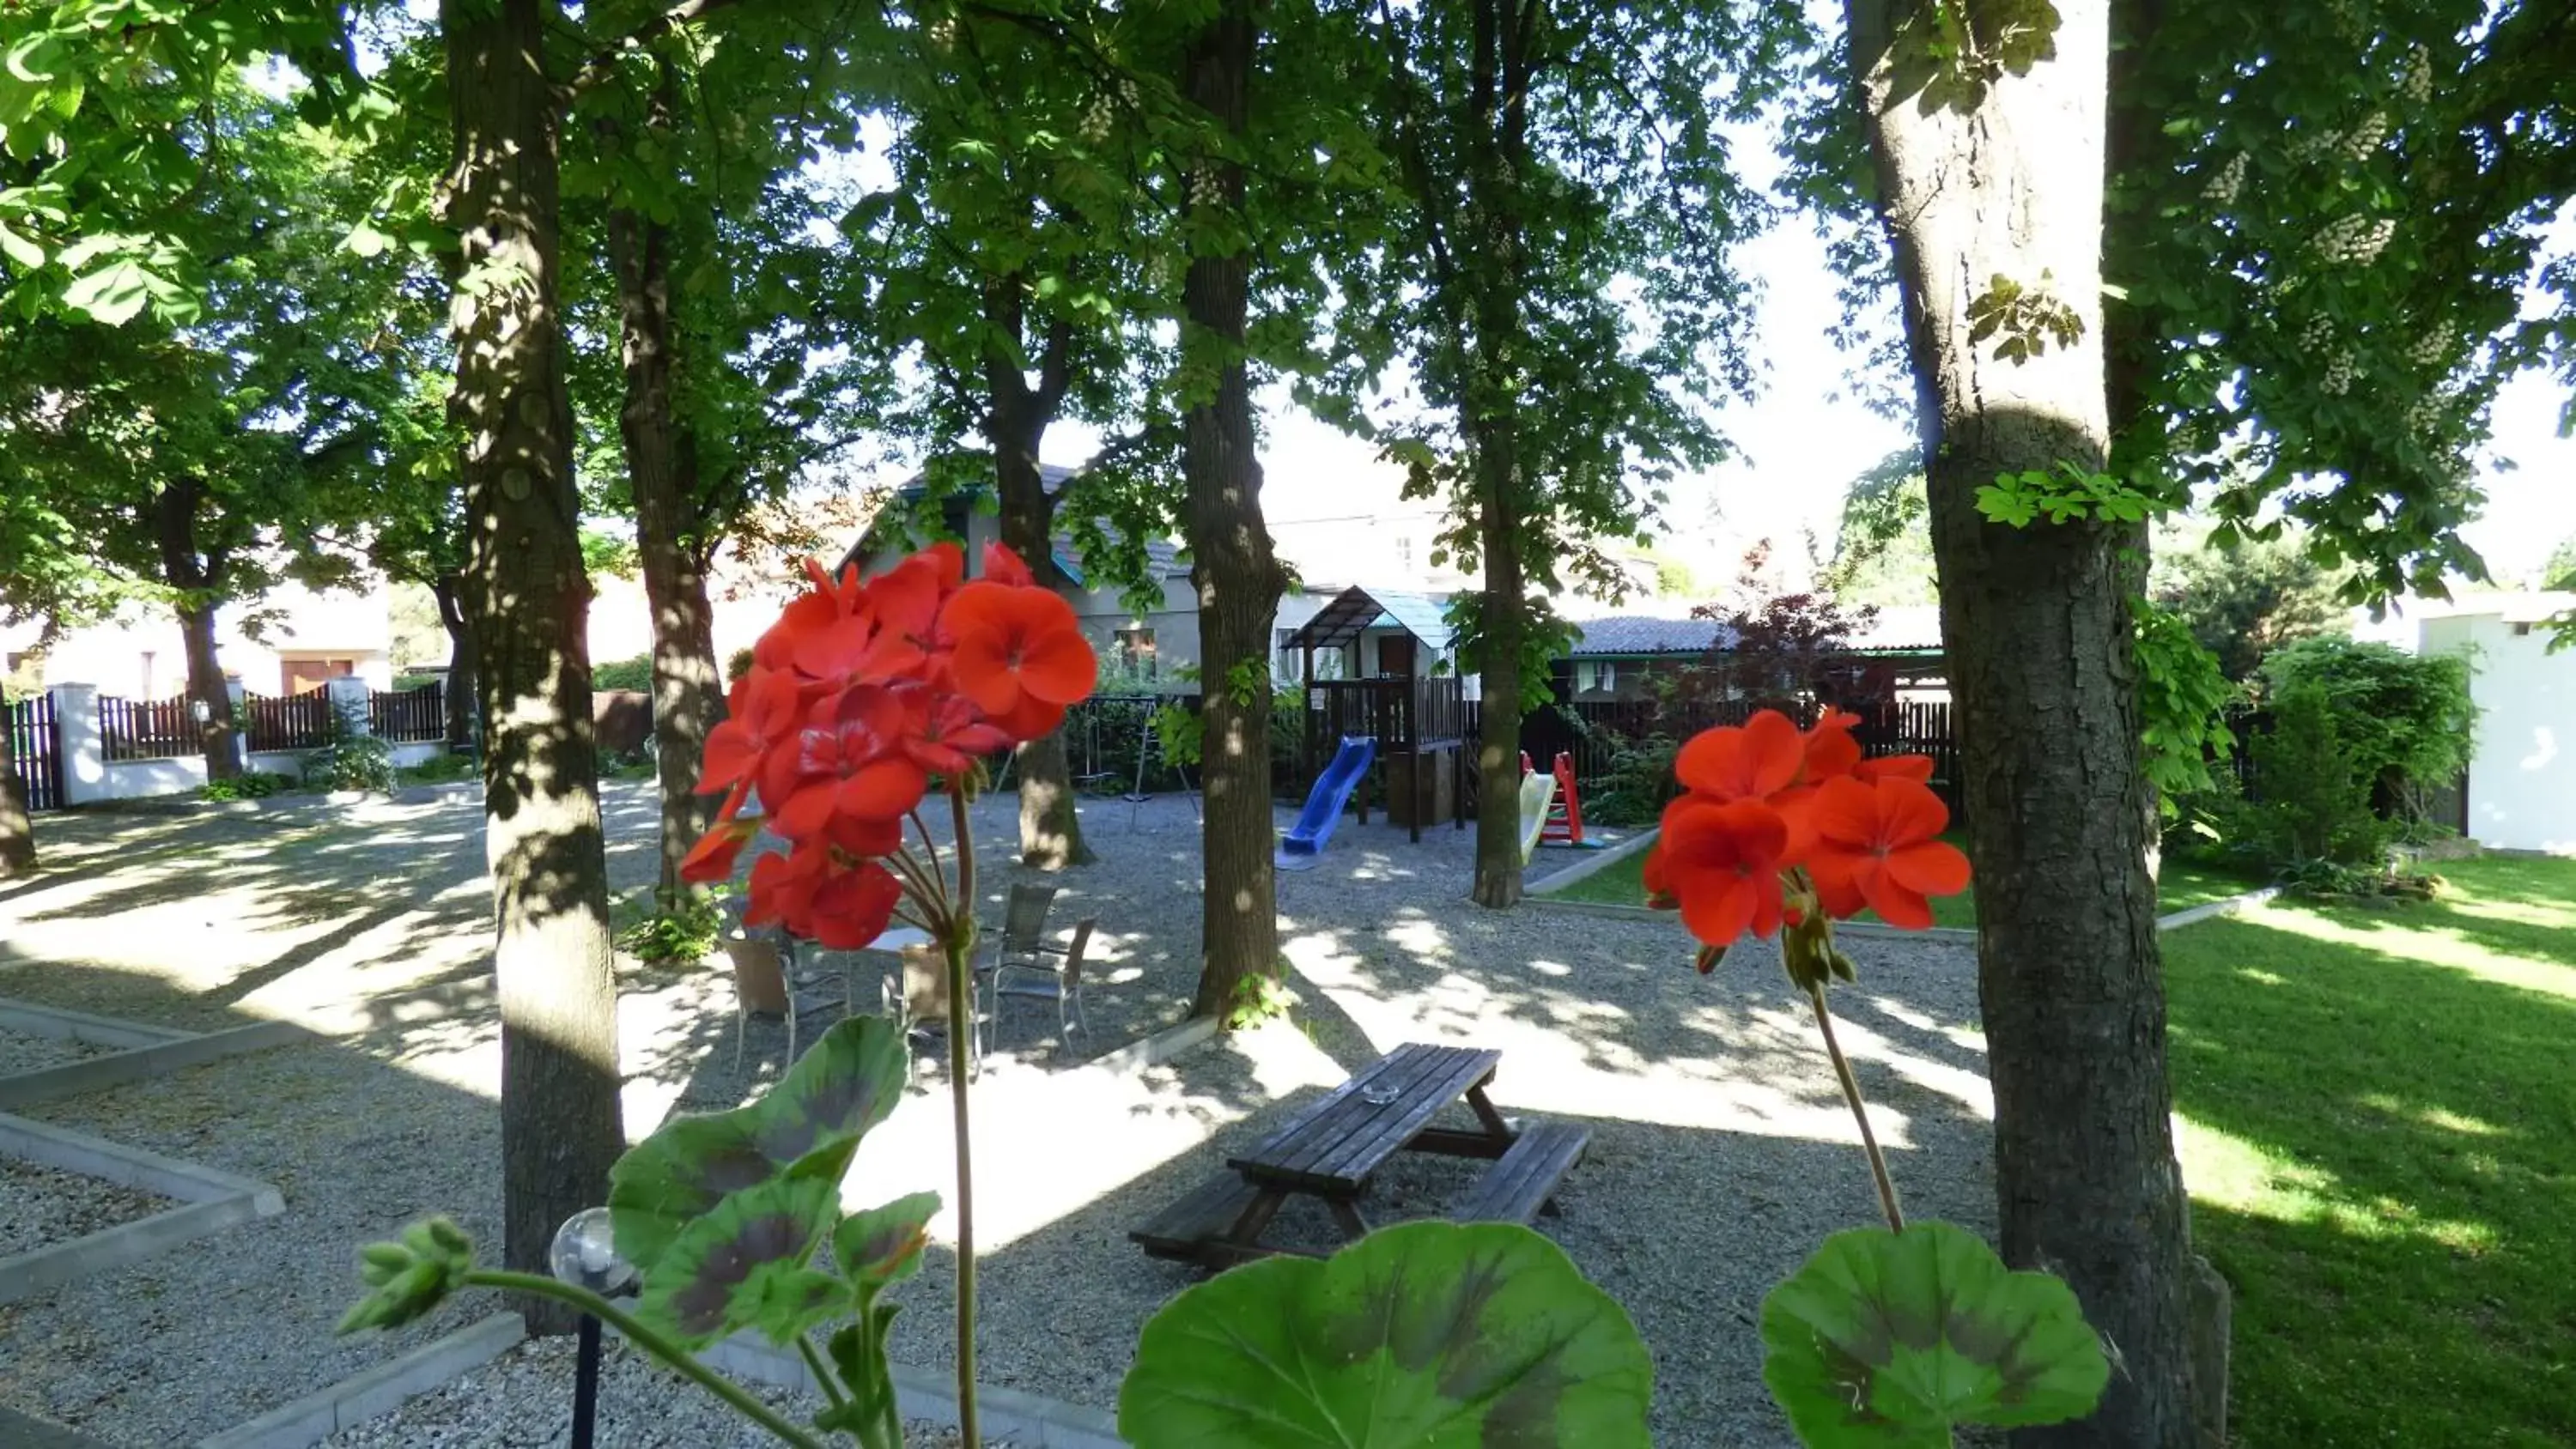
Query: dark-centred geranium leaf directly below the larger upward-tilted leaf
{"points": [[748, 1265]]}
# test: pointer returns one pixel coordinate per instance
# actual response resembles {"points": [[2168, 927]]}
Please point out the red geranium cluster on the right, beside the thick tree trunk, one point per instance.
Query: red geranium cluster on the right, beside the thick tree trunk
{"points": [[1776, 825]]}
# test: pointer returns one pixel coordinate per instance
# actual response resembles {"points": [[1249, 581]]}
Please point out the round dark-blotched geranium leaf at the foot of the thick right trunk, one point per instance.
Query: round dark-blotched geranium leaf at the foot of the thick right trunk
{"points": [[1892, 1340]]}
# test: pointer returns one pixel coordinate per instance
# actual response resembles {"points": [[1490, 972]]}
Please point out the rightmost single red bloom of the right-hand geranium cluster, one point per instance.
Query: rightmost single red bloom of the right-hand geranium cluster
{"points": [[1879, 845]]}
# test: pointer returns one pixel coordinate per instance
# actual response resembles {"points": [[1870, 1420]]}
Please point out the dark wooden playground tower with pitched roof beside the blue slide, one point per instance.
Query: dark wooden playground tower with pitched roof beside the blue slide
{"points": [[1413, 717]]}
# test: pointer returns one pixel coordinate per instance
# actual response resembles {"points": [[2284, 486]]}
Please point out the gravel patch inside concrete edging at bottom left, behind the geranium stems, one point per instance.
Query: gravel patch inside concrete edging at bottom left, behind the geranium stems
{"points": [[524, 1401]]}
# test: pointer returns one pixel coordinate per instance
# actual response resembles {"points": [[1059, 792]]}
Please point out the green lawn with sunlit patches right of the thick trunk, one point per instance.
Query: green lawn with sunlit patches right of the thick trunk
{"points": [[2382, 1144]]}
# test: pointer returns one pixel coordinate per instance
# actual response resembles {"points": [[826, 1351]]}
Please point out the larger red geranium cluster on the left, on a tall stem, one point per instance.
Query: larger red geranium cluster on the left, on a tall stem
{"points": [[859, 696]]}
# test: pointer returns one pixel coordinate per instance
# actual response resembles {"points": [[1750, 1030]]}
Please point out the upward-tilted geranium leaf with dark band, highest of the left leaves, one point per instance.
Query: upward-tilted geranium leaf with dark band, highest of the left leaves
{"points": [[808, 1126]]}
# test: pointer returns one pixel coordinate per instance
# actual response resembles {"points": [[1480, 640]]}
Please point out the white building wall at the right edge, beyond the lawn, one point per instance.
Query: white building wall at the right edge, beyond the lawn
{"points": [[2523, 779]]}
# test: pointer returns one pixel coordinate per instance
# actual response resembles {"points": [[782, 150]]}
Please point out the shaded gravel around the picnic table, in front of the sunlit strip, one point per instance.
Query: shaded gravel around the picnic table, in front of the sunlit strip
{"points": [[1683, 1226]]}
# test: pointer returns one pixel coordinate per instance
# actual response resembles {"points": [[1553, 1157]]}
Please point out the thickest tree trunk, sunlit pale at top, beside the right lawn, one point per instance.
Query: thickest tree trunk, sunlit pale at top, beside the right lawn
{"points": [[2041, 665]]}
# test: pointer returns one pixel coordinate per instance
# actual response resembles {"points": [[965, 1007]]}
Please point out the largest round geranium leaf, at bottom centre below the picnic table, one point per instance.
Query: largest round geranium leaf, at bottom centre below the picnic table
{"points": [[1431, 1334]]}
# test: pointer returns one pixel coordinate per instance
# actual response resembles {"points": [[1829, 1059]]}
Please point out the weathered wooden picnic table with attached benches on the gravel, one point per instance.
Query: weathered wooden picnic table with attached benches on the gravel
{"points": [[1333, 1149]]}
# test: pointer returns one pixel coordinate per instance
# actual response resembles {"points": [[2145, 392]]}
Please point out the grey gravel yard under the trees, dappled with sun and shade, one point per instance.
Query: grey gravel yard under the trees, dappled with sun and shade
{"points": [[1722, 1152]]}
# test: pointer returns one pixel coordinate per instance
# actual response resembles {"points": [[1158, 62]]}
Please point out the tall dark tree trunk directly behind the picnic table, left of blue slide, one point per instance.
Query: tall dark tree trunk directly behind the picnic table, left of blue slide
{"points": [[1233, 565]]}
